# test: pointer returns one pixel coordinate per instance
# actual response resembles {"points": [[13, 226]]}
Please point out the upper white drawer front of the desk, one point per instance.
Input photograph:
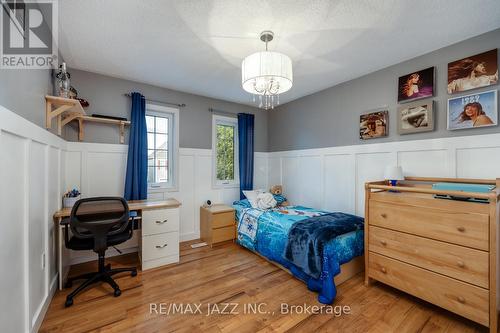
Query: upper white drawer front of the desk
{"points": [[158, 221]]}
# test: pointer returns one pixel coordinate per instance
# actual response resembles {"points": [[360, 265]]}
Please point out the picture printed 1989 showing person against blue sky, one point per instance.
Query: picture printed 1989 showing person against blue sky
{"points": [[473, 111]]}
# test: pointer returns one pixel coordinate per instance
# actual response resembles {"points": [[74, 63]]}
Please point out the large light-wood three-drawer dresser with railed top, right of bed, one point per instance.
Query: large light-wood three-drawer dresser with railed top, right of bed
{"points": [[442, 251]]}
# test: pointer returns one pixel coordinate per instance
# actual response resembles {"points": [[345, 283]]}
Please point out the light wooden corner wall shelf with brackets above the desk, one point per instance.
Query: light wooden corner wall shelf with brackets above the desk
{"points": [[67, 110]]}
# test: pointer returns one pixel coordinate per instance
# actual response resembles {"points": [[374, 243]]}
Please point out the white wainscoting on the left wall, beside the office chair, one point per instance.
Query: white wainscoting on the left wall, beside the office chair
{"points": [[30, 172]]}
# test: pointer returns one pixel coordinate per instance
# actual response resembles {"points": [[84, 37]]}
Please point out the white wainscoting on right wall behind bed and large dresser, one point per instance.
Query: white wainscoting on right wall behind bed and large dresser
{"points": [[346, 169]]}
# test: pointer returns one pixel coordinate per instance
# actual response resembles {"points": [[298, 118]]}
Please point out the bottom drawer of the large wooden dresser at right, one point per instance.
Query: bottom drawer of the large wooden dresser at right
{"points": [[462, 298]]}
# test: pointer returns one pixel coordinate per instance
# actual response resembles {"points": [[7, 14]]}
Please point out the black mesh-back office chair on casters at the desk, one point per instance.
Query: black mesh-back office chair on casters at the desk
{"points": [[96, 224]]}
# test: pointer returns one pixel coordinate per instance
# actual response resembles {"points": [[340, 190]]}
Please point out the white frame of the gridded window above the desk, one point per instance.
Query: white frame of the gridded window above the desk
{"points": [[173, 147]]}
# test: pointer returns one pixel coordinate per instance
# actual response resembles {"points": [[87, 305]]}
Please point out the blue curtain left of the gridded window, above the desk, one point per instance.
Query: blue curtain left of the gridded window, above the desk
{"points": [[136, 181]]}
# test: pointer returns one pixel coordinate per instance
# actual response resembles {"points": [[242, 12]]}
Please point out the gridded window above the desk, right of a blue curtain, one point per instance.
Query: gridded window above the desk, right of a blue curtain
{"points": [[162, 145]]}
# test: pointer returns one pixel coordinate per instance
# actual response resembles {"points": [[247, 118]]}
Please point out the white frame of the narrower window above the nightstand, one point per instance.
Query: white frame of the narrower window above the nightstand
{"points": [[230, 121]]}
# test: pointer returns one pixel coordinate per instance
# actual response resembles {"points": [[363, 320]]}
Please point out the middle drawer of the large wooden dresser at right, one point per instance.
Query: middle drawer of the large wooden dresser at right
{"points": [[459, 262]]}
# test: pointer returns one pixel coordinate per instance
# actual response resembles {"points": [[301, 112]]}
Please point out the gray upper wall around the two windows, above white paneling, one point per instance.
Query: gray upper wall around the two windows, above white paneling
{"points": [[105, 95]]}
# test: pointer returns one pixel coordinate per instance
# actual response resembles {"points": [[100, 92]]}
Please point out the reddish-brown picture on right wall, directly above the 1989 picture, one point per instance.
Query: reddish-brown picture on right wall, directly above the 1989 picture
{"points": [[480, 70]]}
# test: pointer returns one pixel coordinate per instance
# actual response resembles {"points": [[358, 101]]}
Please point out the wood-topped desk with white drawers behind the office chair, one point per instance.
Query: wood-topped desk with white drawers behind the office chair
{"points": [[159, 220]]}
